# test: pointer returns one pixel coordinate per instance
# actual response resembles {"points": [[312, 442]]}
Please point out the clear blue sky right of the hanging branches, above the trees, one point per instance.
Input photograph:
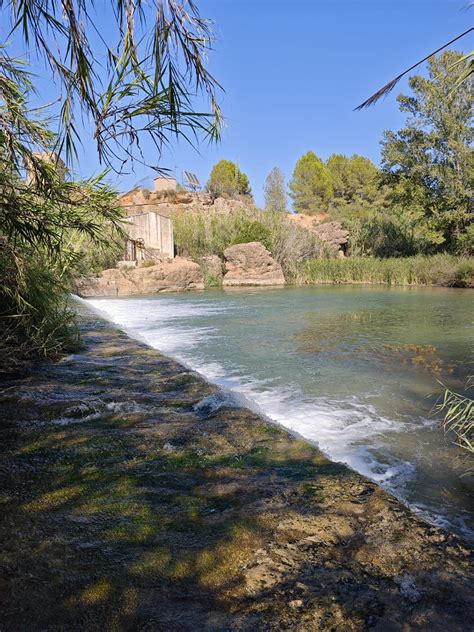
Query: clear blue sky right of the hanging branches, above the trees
{"points": [[293, 70]]}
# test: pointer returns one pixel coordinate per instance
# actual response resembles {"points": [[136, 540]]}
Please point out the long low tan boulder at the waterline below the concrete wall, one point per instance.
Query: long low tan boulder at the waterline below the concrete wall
{"points": [[167, 276]]}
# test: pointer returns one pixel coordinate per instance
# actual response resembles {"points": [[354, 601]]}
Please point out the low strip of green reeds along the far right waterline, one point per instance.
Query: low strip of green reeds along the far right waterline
{"points": [[446, 270]]}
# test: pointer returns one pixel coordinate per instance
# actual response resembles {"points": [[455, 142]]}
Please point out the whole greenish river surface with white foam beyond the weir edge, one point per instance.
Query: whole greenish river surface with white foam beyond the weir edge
{"points": [[353, 369]]}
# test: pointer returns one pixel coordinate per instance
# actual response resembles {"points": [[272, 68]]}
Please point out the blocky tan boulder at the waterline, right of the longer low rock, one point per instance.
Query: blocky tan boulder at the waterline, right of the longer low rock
{"points": [[251, 264]]}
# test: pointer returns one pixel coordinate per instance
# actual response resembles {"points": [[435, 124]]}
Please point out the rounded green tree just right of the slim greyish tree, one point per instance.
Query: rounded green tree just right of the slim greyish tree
{"points": [[311, 186]]}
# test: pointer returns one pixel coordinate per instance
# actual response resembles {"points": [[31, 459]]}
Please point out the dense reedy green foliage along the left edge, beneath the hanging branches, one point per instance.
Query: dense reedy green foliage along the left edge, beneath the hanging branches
{"points": [[38, 218]]}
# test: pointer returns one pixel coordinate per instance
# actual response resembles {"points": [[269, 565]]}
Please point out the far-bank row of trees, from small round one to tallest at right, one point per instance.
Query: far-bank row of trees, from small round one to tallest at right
{"points": [[418, 202]]}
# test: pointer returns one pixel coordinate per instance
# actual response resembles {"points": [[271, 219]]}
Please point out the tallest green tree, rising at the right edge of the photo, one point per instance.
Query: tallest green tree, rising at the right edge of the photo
{"points": [[429, 163]]}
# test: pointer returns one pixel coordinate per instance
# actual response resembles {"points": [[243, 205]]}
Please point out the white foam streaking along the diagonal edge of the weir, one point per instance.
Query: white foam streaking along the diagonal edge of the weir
{"points": [[348, 430]]}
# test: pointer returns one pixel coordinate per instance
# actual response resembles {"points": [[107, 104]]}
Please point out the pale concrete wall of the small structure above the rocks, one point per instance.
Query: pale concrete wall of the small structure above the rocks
{"points": [[155, 230]]}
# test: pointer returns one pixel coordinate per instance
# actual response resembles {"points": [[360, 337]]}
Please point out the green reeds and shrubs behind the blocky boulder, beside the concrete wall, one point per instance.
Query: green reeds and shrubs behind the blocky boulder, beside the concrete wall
{"points": [[199, 234]]}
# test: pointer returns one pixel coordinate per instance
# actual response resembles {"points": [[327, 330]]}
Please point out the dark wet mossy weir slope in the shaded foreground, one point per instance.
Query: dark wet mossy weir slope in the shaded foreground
{"points": [[136, 496]]}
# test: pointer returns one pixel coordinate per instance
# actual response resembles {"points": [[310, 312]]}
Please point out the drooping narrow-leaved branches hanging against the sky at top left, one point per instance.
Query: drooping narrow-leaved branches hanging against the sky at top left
{"points": [[136, 80]]}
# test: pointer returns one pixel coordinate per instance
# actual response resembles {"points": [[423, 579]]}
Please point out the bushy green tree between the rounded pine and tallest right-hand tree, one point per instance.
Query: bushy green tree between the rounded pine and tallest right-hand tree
{"points": [[354, 179]]}
